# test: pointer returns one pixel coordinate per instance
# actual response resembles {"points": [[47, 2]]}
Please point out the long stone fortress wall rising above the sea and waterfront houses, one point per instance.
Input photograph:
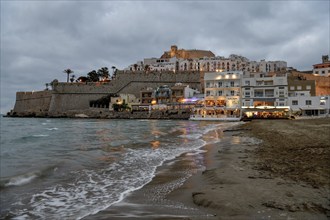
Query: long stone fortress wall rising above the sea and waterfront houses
{"points": [[66, 97]]}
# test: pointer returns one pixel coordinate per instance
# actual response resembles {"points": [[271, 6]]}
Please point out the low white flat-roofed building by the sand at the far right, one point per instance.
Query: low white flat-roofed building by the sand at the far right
{"points": [[310, 105]]}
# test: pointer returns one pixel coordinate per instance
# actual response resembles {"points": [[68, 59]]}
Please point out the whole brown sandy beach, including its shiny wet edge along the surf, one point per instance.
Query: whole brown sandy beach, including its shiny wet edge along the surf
{"points": [[264, 169]]}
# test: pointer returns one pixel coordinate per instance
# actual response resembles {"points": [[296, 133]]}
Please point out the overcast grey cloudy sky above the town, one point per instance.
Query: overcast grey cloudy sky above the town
{"points": [[39, 39]]}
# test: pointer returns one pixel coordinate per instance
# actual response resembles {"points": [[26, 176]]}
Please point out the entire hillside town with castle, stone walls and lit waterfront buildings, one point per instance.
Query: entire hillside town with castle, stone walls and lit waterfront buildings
{"points": [[183, 84]]}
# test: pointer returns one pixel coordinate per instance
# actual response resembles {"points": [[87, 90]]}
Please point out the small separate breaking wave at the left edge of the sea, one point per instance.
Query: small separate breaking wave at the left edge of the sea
{"points": [[23, 179]]}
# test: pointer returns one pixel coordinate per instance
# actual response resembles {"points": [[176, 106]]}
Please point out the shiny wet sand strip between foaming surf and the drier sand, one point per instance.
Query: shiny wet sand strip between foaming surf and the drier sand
{"points": [[154, 200]]}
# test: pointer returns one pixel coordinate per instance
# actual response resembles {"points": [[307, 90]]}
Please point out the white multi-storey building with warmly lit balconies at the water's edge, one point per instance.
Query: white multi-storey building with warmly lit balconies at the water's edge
{"points": [[222, 95]]}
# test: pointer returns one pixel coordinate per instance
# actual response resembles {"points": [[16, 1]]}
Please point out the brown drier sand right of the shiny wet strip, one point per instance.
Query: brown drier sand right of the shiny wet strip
{"points": [[284, 176]]}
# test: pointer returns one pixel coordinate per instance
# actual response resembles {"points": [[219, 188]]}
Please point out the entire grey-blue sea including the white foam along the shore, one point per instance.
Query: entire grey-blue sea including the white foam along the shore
{"points": [[54, 168]]}
